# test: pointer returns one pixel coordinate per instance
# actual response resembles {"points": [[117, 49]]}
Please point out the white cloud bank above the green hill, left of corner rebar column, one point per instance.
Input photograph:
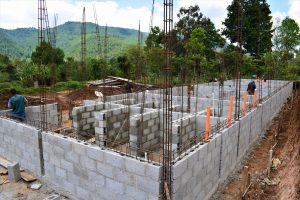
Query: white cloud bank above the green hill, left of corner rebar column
{"points": [[21, 13]]}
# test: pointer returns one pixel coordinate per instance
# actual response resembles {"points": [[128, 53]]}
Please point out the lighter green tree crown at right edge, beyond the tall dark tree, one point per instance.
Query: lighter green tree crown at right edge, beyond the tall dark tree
{"points": [[289, 35]]}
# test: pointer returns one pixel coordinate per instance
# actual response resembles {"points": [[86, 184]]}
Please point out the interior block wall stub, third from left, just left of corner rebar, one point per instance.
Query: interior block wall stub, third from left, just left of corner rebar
{"points": [[144, 132]]}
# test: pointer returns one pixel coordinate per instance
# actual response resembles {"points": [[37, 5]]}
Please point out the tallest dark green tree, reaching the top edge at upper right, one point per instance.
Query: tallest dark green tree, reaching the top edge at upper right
{"points": [[249, 22]]}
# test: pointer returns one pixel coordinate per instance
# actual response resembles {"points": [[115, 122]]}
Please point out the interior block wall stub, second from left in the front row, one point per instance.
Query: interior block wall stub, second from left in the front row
{"points": [[111, 125]]}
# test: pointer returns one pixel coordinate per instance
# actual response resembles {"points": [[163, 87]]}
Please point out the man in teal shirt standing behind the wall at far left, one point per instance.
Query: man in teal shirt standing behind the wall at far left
{"points": [[17, 105]]}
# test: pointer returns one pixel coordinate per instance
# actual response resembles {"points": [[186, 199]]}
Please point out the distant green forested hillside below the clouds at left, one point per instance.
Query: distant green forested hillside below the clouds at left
{"points": [[19, 43]]}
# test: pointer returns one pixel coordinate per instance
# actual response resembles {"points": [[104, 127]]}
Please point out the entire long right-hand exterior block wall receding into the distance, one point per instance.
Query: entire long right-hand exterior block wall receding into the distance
{"points": [[198, 175]]}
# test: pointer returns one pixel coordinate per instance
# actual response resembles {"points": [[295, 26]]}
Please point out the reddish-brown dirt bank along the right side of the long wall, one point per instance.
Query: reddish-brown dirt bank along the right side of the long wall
{"points": [[283, 181]]}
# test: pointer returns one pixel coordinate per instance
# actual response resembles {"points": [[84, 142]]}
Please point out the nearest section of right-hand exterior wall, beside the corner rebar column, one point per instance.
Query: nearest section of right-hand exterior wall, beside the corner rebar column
{"points": [[195, 176]]}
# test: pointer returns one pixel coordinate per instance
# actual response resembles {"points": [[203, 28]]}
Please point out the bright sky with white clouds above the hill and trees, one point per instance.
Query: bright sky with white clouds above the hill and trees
{"points": [[124, 13]]}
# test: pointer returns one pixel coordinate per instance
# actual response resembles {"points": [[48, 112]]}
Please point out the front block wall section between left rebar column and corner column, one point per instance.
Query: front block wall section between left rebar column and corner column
{"points": [[88, 172]]}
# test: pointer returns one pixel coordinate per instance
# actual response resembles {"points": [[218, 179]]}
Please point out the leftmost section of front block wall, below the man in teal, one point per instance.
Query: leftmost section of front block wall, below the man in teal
{"points": [[20, 143]]}
